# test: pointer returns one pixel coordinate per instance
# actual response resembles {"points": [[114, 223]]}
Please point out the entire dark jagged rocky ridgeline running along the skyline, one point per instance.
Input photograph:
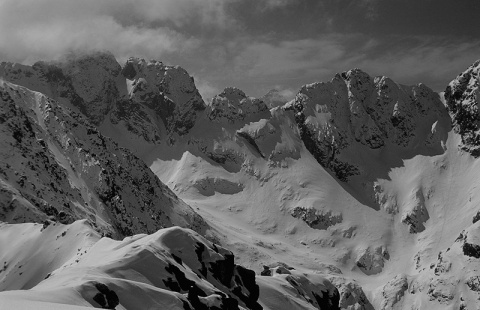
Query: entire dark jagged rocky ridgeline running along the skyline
{"points": [[160, 103]]}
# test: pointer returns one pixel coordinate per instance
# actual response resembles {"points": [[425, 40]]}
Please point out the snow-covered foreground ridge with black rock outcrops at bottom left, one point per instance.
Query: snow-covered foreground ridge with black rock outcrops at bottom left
{"points": [[51, 267]]}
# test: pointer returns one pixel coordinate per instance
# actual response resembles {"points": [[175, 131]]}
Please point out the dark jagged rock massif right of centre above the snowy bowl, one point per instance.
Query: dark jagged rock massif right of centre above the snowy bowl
{"points": [[355, 109]]}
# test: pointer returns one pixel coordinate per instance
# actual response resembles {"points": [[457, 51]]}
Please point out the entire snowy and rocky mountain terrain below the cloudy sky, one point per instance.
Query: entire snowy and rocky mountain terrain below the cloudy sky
{"points": [[360, 193]]}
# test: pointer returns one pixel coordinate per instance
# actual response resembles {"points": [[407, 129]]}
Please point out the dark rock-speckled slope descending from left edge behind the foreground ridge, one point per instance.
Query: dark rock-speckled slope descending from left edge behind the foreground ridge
{"points": [[56, 166]]}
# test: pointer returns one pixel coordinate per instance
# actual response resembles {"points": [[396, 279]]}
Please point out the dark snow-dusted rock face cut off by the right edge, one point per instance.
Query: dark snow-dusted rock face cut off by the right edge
{"points": [[462, 97]]}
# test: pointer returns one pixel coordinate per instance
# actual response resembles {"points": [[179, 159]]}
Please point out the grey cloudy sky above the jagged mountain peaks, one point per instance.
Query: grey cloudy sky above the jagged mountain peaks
{"points": [[255, 45]]}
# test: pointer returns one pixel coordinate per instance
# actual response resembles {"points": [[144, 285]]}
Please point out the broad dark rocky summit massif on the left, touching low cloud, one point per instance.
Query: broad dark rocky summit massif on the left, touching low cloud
{"points": [[156, 103]]}
